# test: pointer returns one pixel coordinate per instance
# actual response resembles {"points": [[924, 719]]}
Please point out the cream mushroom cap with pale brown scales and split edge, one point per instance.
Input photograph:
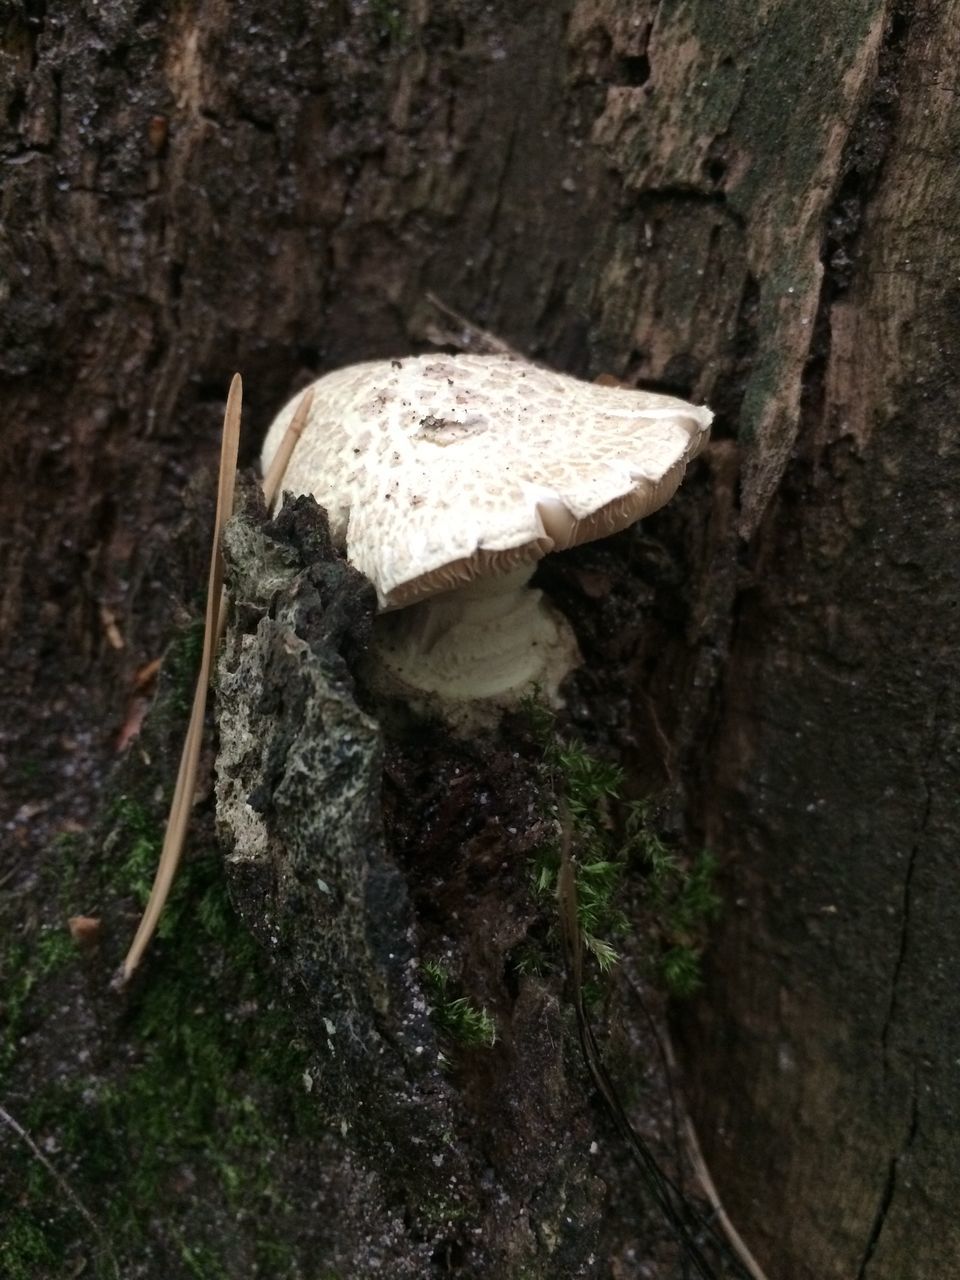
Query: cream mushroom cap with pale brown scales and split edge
{"points": [[437, 470]]}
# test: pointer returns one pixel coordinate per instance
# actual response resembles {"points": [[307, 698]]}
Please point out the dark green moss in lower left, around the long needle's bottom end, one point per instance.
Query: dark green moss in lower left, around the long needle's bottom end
{"points": [[204, 1087]]}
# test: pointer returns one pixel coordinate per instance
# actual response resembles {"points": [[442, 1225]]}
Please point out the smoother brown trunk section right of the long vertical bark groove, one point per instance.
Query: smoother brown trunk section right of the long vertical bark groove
{"points": [[831, 783]]}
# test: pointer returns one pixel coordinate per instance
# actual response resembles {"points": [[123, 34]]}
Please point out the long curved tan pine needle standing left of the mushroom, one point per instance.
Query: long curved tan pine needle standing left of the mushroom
{"points": [[190, 758]]}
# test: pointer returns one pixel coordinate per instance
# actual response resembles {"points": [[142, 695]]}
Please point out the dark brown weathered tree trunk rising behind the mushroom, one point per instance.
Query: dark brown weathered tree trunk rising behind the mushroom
{"points": [[748, 205]]}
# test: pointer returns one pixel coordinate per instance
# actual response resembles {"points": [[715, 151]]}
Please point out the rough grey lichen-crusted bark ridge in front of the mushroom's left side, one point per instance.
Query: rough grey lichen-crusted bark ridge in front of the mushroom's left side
{"points": [[299, 774]]}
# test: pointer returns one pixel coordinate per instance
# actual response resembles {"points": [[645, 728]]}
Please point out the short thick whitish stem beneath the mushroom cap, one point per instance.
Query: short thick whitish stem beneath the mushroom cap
{"points": [[493, 641]]}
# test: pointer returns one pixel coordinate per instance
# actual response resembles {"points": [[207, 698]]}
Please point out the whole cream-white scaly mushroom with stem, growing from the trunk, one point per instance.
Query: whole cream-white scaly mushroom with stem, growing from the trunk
{"points": [[447, 478]]}
